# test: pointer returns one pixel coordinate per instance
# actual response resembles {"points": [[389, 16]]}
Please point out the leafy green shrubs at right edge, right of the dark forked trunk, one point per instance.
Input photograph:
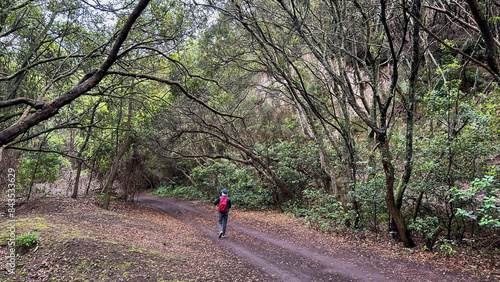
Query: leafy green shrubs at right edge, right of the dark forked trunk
{"points": [[456, 149]]}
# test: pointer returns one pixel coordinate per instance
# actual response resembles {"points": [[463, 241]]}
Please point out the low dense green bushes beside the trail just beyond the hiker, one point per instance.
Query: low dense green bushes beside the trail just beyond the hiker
{"points": [[295, 165]]}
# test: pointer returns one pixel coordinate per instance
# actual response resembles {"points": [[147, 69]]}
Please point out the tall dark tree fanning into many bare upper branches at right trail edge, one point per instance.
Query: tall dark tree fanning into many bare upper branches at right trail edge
{"points": [[334, 45]]}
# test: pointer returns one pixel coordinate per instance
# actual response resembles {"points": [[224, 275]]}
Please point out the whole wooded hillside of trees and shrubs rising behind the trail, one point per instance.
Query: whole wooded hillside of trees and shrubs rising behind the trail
{"points": [[373, 116]]}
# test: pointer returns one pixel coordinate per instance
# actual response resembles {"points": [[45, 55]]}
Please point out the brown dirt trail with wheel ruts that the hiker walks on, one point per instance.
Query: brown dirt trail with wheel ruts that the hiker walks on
{"points": [[285, 255]]}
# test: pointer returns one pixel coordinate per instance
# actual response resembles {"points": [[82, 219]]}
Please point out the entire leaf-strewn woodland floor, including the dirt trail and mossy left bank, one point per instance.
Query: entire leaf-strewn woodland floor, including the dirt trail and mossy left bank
{"points": [[165, 239]]}
